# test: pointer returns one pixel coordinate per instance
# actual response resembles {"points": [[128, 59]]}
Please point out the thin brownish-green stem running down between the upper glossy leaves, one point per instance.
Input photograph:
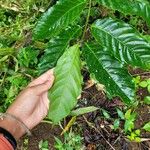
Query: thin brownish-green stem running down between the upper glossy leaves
{"points": [[87, 20]]}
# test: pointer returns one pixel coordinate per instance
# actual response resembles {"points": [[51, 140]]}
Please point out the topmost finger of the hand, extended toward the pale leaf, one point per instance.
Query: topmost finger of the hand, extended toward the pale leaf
{"points": [[43, 78]]}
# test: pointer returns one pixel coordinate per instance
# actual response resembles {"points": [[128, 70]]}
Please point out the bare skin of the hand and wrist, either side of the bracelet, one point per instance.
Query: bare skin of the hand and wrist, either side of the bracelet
{"points": [[31, 106]]}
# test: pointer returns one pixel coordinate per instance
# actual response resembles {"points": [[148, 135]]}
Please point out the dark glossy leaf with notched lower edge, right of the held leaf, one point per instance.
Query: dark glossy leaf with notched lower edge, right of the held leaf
{"points": [[110, 72]]}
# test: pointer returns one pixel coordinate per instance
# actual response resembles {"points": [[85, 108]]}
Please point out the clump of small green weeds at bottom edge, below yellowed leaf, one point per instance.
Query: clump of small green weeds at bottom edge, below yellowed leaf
{"points": [[71, 142]]}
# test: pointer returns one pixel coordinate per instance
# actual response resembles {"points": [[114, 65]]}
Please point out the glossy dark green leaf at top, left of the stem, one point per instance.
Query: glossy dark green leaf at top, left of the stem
{"points": [[58, 17]]}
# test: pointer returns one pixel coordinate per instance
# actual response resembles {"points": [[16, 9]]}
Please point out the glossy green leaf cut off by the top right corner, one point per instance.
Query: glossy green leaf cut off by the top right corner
{"points": [[135, 7]]}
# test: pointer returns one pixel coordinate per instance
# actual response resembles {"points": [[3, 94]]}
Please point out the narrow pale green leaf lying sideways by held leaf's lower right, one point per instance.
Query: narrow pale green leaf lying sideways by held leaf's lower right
{"points": [[81, 111]]}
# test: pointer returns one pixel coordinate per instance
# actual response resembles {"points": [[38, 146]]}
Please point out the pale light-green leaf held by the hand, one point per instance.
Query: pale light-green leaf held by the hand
{"points": [[67, 86]]}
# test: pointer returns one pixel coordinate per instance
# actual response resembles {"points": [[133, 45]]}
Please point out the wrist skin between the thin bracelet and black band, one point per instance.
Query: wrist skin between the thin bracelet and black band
{"points": [[13, 127]]}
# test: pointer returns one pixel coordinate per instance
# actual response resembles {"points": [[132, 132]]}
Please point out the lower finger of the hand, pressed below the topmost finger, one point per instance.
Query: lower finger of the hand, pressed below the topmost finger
{"points": [[41, 88]]}
